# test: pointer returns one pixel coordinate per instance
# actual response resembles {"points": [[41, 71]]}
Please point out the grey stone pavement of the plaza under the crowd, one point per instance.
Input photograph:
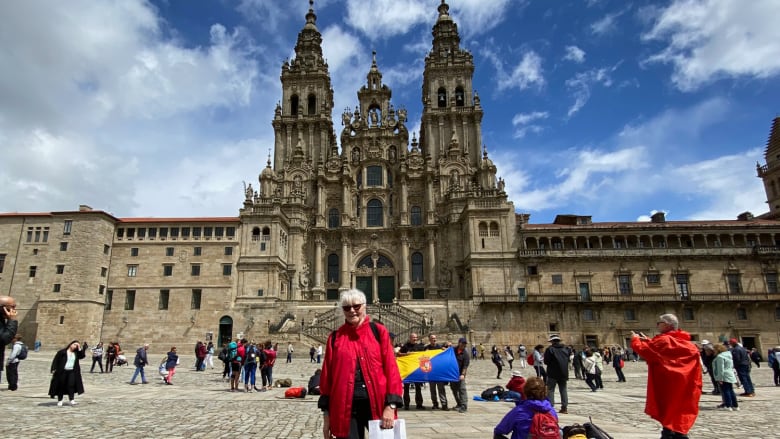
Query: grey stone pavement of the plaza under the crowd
{"points": [[199, 405]]}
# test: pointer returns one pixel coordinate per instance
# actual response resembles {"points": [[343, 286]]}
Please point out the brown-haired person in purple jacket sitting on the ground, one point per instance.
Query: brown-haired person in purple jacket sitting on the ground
{"points": [[518, 420]]}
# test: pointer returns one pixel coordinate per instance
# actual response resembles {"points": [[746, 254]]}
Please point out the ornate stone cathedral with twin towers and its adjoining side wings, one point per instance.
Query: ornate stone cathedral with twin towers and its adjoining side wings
{"points": [[421, 224]]}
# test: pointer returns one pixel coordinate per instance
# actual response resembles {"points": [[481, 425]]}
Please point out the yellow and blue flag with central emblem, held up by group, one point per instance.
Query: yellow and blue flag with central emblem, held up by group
{"points": [[426, 366]]}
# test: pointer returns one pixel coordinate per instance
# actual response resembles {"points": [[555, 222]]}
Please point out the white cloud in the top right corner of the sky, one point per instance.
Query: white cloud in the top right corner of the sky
{"points": [[708, 40]]}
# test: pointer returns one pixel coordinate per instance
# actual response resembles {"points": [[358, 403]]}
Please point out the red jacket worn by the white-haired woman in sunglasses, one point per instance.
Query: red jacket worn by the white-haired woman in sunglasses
{"points": [[380, 372]]}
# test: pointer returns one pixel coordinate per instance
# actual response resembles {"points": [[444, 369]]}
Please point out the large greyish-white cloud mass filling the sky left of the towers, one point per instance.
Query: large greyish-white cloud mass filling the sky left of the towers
{"points": [[100, 98]]}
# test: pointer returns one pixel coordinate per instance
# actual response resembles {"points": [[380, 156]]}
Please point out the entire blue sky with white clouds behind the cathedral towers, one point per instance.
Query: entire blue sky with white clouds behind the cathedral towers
{"points": [[595, 107]]}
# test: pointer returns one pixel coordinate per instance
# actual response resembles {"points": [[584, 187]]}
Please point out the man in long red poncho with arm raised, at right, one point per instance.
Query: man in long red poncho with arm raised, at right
{"points": [[673, 378]]}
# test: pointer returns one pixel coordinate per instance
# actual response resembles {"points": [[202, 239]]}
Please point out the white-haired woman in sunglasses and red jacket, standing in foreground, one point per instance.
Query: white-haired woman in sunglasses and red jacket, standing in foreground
{"points": [[360, 380]]}
